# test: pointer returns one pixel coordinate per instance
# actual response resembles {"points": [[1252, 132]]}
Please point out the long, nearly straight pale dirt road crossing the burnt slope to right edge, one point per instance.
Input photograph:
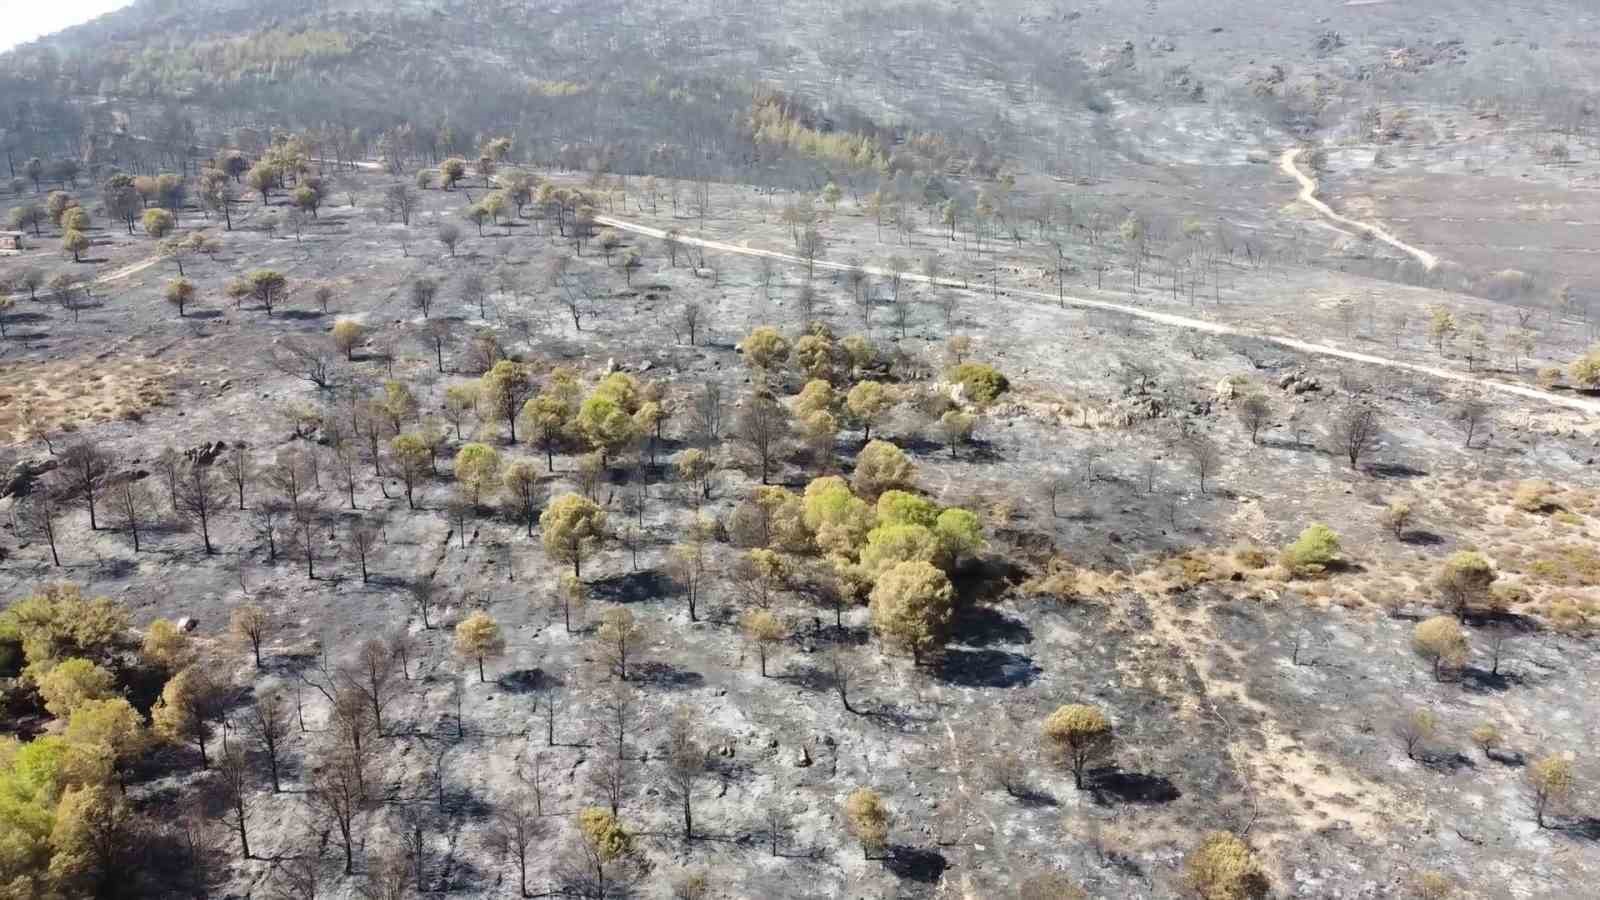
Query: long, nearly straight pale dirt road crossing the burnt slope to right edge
{"points": [[1582, 404]]}
